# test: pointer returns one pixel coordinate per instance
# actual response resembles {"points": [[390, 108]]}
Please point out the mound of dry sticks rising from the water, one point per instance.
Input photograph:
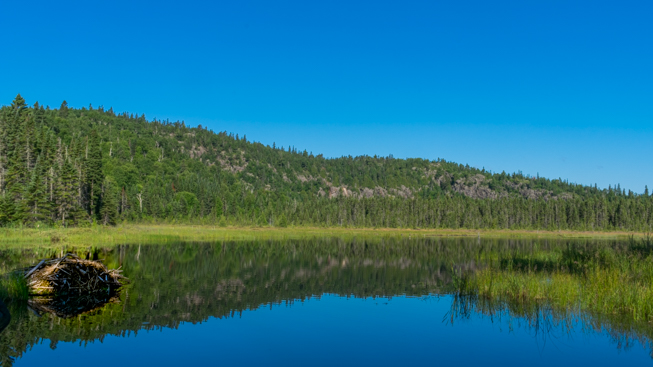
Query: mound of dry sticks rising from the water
{"points": [[71, 274]]}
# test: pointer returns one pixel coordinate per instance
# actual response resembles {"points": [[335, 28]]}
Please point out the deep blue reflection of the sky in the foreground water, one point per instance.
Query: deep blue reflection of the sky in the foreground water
{"points": [[339, 331]]}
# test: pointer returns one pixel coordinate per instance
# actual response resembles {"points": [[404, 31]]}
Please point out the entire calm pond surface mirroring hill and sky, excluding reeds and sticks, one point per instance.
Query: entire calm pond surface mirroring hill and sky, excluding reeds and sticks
{"points": [[318, 302]]}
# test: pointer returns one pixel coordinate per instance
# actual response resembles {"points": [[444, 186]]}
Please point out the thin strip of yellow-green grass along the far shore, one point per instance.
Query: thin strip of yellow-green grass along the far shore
{"points": [[132, 233]]}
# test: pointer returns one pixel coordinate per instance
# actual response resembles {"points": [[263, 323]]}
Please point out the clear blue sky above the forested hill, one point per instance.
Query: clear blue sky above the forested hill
{"points": [[559, 88]]}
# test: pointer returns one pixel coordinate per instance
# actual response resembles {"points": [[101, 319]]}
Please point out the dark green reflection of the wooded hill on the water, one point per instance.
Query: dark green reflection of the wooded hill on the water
{"points": [[190, 282]]}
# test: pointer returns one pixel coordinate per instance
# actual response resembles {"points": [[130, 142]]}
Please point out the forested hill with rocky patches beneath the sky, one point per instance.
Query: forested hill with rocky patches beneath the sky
{"points": [[70, 166]]}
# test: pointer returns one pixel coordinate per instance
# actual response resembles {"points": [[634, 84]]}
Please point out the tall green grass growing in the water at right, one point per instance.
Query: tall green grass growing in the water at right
{"points": [[600, 280]]}
